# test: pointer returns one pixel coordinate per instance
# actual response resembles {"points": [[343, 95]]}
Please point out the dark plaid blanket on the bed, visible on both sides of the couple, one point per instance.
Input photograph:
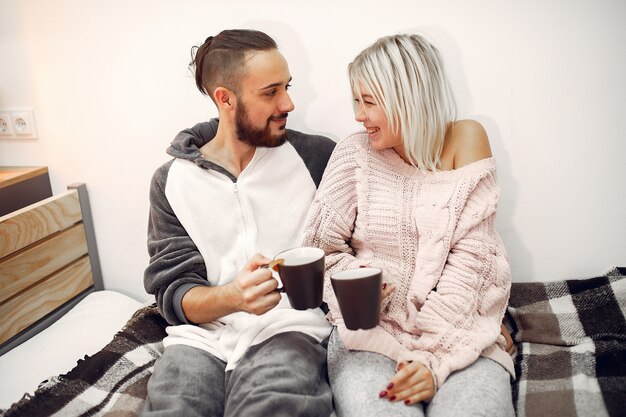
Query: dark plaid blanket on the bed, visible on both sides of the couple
{"points": [[571, 357]]}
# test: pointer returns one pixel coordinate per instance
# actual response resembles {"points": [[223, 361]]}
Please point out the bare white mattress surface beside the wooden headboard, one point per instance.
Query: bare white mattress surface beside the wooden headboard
{"points": [[84, 330]]}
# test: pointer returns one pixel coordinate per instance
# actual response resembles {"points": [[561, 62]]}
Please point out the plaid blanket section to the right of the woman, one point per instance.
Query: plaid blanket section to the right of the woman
{"points": [[571, 346]]}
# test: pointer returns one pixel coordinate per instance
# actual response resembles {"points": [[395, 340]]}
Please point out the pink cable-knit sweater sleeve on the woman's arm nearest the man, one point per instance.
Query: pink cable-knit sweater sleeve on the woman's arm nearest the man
{"points": [[330, 221]]}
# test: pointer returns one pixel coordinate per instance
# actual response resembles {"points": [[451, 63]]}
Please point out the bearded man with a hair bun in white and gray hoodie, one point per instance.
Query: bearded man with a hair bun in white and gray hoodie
{"points": [[235, 190]]}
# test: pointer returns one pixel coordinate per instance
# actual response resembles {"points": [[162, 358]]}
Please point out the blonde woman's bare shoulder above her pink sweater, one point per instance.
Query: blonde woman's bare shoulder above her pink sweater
{"points": [[468, 142]]}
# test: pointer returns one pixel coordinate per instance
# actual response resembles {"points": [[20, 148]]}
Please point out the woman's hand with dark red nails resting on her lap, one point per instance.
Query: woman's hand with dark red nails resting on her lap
{"points": [[412, 384]]}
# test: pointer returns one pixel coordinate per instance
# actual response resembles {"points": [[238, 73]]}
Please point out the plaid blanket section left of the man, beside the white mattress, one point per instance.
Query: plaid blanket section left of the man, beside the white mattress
{"points": [[111, 382]]}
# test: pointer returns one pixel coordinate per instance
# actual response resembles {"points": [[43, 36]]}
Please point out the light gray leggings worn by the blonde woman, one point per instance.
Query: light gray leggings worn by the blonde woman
{"points": [[356, 378]]}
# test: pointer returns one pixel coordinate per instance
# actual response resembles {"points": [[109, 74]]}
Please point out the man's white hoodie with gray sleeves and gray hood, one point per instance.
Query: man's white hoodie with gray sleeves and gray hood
{"points": [[205, 224]]}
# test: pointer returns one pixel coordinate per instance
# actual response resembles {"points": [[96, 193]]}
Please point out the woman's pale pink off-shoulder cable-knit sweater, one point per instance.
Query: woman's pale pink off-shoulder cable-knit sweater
{"points": [[433, 235]]}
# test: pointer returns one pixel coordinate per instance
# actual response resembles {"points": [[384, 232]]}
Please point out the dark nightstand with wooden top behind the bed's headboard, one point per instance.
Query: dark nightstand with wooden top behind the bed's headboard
{"points": [[22, 186]]}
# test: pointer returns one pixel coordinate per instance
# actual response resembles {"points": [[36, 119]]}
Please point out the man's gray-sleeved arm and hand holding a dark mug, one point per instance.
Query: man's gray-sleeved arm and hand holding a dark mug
{"points": [[177, 275]]}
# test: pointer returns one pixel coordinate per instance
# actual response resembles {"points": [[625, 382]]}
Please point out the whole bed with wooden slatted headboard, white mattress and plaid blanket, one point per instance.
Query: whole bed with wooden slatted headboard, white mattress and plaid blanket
{"points": [[71, 348]]}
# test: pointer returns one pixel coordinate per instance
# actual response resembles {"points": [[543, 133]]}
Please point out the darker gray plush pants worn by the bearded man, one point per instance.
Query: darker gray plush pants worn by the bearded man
{"points": [[282, 376]]}
